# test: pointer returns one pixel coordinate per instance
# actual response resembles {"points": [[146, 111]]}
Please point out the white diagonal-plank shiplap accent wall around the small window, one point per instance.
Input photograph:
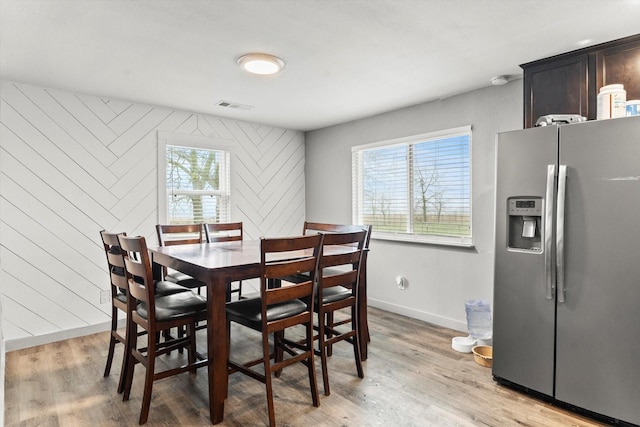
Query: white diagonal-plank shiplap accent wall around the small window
{"points": [[73, 164]]}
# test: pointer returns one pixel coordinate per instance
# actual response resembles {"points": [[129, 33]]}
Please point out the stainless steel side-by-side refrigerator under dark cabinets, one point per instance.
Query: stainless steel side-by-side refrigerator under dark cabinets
{"points": [[567, 265]]}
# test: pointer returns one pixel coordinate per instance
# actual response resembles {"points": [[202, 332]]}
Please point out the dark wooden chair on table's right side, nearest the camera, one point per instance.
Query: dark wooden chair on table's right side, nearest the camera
{"points": [[279, 308]]}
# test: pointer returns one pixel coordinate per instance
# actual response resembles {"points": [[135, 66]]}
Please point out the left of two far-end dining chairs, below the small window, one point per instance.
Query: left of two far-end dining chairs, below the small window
{"points": [[180, 234]]}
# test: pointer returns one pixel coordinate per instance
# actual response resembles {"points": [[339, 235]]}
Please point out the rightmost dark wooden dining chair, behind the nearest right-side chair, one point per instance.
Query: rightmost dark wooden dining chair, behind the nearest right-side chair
{"points": [[338, 288]]}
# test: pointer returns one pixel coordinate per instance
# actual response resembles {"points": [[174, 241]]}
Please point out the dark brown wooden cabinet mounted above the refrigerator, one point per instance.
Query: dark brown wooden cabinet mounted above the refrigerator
{"points": [[569, 83]]}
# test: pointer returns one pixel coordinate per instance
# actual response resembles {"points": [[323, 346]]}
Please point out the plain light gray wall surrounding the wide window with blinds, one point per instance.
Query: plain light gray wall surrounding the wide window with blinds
{"points": [[440, 278]]}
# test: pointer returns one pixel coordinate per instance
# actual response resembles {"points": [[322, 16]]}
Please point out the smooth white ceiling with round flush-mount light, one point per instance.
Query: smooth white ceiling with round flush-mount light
{"points": [[346, 59]]}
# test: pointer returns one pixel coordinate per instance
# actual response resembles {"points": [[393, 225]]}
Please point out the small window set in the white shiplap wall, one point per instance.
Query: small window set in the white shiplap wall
{"points": [[196, 177]]}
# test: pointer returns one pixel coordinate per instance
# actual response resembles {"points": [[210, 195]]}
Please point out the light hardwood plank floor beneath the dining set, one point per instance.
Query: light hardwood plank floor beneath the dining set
{"points": [[412, 378]]}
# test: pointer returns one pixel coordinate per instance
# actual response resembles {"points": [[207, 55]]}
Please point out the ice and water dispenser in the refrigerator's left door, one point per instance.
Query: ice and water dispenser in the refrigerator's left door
{"points": [[525, 223]]}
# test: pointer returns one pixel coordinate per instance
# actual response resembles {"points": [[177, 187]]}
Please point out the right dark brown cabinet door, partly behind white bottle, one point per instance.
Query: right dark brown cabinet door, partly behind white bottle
{"points": [[620, 64]]}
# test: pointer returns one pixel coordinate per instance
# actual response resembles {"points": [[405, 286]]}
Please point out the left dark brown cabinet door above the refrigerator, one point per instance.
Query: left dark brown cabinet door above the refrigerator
{"points": [[556, 87]]}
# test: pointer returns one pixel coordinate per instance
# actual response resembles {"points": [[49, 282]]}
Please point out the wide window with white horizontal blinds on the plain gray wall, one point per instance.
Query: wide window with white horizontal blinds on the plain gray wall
{"points": [[416, 188]]}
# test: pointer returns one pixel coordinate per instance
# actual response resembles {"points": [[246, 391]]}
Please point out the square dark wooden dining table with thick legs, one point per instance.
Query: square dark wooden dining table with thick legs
{"points": [[217, 265]]}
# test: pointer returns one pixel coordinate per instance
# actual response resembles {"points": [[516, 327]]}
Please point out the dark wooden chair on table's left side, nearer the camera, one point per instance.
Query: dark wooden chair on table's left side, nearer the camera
{"points": [[155, 314]]}
